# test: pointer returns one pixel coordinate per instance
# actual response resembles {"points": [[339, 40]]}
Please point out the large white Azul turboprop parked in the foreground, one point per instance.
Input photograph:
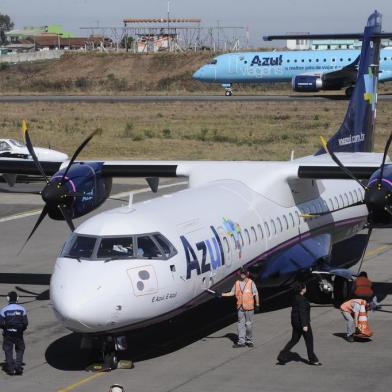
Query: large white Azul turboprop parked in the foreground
{"points": [[137, 265]]}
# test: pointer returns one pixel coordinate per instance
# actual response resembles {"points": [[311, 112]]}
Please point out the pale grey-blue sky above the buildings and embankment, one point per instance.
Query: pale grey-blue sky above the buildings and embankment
{"points": [[260, 16]]}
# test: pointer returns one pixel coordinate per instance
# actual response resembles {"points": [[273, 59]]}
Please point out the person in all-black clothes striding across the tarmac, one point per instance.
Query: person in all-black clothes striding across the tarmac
{"points": [[300, 321]]}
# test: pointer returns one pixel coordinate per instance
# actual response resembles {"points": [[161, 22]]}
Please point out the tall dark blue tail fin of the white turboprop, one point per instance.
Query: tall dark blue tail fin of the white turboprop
{"points": [[356, 134]]}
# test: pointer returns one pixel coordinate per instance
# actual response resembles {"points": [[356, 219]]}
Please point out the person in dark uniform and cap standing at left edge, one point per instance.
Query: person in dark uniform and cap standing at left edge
{"points": [[13, 321]]}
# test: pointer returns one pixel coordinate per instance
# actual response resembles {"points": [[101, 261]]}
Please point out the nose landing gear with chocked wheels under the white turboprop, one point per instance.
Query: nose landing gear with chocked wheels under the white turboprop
{"points": [[104, 352]]}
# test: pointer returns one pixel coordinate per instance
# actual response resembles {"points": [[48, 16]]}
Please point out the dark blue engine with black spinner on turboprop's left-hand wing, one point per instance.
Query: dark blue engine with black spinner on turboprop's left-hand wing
{"points": [[83, 190]]}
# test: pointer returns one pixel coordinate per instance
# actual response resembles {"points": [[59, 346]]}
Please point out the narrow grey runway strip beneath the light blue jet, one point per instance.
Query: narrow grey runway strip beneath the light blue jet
{"points": [[175, 98]]}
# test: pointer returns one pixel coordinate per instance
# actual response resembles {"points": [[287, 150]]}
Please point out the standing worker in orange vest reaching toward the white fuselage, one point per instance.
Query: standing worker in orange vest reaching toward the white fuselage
{"points": [[246, 292]]}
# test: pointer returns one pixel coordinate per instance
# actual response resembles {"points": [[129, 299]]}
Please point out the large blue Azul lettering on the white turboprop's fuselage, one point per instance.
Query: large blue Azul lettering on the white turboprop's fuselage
{"points": [[212, 255]]}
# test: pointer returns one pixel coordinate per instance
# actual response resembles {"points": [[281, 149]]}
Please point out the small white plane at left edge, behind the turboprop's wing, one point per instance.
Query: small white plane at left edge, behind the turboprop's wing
{"points": [[11, 150]]}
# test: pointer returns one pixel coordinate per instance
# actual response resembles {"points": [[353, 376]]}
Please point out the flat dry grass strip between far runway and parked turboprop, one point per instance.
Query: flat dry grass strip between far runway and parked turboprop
{"points": [[186, 130]]}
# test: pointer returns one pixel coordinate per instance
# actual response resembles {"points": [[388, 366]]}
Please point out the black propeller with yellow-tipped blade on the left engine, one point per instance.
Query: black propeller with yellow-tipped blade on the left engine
{"points": [[56, 194]]}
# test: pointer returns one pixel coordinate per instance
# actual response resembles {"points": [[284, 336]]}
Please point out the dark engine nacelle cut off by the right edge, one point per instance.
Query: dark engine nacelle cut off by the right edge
{"points": [[378, 197]]}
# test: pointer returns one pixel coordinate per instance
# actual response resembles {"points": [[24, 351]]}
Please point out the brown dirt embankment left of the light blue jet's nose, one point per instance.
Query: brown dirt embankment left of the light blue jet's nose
{"points": [[91, 73]]}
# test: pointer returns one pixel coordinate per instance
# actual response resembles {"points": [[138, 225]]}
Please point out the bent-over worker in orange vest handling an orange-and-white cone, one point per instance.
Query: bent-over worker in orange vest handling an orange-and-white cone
{"points": [[354, 312]]}
